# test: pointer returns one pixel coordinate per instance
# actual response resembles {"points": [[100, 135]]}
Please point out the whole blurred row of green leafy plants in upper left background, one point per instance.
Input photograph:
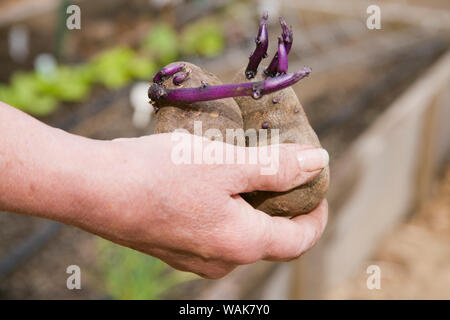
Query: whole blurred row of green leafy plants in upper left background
{"points": [[113, 68]]}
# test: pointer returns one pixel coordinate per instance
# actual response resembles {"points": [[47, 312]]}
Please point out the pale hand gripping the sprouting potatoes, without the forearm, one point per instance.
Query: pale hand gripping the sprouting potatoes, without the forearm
{"points": [[191, 215]]}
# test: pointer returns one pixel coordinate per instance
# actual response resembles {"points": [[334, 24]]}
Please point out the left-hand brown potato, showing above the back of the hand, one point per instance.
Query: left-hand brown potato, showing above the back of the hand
{"points": [[218, 114]]}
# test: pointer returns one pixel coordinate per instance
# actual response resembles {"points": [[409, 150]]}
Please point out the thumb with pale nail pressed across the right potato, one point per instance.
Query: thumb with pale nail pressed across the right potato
{"points": [[286, 166]]}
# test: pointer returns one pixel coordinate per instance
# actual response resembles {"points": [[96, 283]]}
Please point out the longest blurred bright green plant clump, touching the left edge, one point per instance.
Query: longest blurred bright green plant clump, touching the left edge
{"points": [[40, 95]]}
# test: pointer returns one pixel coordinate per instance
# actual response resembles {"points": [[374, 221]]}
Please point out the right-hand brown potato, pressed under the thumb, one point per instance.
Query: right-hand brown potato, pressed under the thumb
{"points": [[282, 110]]}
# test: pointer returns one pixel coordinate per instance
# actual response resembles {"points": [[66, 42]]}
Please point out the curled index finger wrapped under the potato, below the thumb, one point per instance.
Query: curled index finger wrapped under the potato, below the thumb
{"points": [[259, 236]]}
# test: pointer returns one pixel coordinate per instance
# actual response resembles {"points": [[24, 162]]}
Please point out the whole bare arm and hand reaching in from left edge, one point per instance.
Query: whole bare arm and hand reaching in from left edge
{"points": [[129, 191]]}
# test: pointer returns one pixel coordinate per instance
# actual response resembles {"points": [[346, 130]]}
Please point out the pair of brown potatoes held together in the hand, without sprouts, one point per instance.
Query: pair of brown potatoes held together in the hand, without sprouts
{"points": [[280, 110]]}
